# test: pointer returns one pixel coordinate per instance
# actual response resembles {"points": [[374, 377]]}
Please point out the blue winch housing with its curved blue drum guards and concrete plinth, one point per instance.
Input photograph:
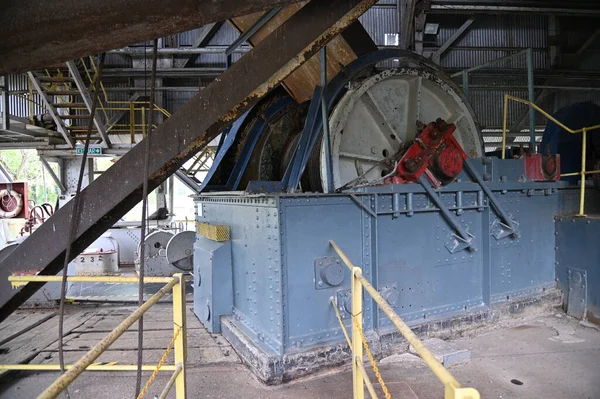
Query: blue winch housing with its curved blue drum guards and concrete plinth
{"points": [[482, 243]]}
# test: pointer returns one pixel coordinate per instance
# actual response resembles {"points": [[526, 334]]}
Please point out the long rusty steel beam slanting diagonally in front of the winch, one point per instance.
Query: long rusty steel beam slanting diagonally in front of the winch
{"points": [[119, 189]]}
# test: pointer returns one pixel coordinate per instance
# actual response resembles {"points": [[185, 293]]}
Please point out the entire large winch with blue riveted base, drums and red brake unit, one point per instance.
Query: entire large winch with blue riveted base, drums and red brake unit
{"points": [[445, 234]]}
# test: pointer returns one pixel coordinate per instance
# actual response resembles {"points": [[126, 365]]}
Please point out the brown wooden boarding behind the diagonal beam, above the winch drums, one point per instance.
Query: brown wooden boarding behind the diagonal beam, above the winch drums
{"points": [[301, 83]]}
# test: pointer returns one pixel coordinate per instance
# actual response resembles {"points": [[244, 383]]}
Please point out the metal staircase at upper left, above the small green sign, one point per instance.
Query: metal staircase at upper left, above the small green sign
{"points": [[69, 104]]}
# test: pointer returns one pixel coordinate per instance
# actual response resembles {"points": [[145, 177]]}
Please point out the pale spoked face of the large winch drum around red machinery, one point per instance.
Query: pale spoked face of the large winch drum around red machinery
{"points": [[378, 117]]}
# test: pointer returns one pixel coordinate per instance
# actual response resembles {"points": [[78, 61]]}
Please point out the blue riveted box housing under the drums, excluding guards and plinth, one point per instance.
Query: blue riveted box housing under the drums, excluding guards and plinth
{"points": [[284, 272]]}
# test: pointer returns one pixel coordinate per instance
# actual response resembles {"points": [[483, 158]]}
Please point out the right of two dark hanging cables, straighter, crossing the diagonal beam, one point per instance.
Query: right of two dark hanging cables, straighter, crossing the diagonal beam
{"points": [[138, 382]]}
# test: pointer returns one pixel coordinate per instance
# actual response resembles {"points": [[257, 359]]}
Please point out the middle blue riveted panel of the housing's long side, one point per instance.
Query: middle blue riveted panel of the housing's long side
{"points": [[431, 282]]}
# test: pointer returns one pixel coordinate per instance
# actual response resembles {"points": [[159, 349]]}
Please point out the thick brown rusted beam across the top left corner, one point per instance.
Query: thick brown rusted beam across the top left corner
{"points": [[39, 33]]}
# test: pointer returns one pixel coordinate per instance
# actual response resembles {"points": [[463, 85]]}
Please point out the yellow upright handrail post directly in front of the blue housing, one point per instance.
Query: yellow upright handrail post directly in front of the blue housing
{"points": [[357, 348]]}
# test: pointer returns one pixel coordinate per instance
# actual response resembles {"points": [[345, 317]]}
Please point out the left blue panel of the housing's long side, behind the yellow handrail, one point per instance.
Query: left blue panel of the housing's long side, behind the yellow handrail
{"points": [[309, 223]]}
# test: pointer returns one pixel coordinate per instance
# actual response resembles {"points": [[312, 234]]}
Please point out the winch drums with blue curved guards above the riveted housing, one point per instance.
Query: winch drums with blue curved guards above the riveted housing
{"points": [[272, 142]]}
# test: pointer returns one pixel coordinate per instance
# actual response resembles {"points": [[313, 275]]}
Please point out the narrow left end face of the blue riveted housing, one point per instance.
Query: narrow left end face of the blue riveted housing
{"points": [[256, 260]]}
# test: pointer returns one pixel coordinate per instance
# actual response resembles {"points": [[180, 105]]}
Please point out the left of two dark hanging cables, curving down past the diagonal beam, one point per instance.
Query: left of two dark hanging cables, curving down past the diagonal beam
{"points": [[75, 215]]}
